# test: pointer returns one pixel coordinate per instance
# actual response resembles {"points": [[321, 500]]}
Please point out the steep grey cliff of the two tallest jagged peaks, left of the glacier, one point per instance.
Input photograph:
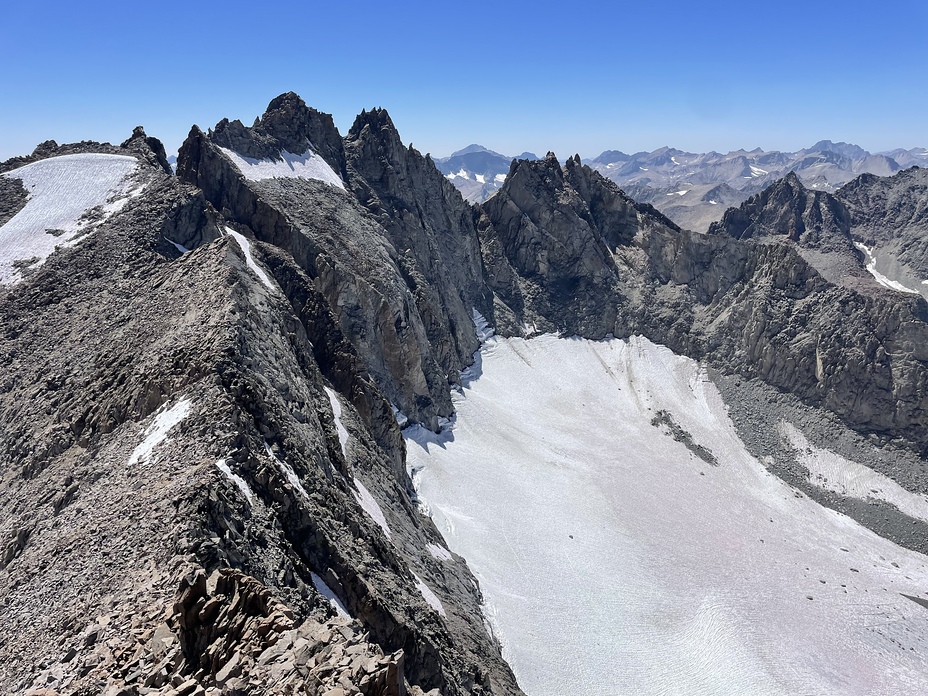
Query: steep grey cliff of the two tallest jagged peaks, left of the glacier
{"points": [[403, 283]]}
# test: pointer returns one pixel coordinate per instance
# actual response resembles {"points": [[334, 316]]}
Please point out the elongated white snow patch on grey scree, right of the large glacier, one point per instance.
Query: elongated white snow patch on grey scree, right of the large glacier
{"points": [[833, 472]]}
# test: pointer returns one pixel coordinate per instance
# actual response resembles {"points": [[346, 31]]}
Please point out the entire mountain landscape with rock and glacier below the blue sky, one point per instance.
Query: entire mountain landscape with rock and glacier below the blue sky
{"points": [[223, 383]]}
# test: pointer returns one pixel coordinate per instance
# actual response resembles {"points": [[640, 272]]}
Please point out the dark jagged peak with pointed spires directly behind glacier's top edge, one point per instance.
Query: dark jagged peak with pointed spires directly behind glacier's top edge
{"points": [[547, 239]]}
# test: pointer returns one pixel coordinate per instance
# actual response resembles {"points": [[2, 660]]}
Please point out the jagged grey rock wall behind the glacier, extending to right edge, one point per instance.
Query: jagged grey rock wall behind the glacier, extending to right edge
{"points": [[777, 291]]}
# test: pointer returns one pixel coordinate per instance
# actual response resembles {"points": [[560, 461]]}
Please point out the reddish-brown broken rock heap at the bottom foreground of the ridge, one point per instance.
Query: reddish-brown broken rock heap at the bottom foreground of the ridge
{"points": [[226, 634]]}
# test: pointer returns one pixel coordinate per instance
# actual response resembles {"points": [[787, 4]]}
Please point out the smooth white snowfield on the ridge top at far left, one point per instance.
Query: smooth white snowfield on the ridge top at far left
{"points": [[61, 189]]}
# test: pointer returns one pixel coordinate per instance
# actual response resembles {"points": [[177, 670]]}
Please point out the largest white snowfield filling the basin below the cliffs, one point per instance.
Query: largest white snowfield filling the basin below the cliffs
{"points": [[616, 559]]}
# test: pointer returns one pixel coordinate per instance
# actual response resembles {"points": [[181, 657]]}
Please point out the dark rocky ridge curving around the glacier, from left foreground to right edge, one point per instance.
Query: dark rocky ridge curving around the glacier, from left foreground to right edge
{"points": [[204, 377]]}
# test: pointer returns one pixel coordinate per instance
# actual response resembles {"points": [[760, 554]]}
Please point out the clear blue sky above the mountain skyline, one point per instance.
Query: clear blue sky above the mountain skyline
{"points": [[513, 76]]}
